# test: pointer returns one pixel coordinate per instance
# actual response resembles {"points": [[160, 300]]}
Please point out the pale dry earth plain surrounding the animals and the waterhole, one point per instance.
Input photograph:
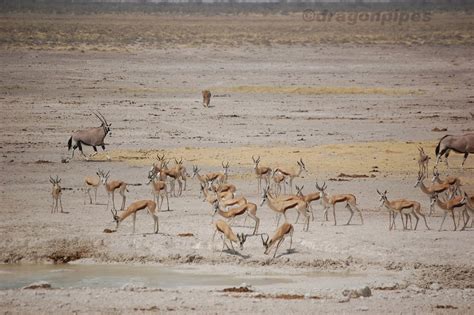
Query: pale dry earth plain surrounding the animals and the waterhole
{"points": [[343, 108]]}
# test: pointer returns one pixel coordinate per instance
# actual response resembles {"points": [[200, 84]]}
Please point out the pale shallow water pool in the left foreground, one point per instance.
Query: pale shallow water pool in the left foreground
{"points": [[116, 276]]}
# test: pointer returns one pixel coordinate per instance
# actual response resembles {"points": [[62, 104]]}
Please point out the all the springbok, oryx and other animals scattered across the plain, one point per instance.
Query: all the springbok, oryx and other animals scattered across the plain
{"points": [[276, 188]]}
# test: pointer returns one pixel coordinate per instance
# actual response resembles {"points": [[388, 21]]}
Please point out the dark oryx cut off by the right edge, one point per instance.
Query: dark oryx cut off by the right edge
{"points": [[459, 144]]}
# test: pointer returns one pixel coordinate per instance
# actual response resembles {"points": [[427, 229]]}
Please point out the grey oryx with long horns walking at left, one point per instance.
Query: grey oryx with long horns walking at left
{"points": [[91, 136]]}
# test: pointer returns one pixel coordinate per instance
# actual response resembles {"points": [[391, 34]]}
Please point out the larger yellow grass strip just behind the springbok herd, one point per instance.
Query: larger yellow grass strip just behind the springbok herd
{"points": [[389, 158]]}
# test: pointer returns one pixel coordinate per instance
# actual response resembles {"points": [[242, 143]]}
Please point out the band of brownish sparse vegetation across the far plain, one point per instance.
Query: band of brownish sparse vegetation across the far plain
{"points": [[120, 31]]}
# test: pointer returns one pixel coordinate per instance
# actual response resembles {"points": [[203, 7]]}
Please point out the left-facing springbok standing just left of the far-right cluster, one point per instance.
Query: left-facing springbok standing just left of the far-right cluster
{"points": [[402, 206]]}
